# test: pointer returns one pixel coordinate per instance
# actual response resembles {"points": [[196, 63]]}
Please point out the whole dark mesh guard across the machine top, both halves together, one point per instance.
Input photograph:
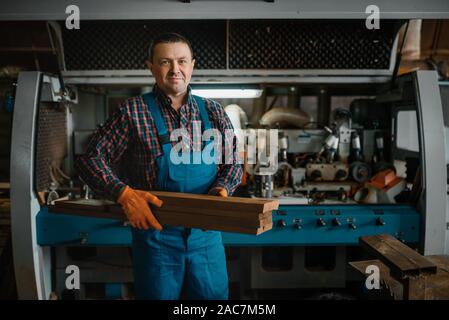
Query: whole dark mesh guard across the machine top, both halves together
{"points": [[251, 44]]}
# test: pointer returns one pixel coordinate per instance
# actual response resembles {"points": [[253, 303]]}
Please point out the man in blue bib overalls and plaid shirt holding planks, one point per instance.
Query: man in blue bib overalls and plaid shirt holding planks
{"points": [[166, 259]]}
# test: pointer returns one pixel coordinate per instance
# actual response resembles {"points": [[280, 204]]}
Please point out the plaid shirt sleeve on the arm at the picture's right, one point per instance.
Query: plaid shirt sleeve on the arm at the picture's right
{"points": [[229, 172]]}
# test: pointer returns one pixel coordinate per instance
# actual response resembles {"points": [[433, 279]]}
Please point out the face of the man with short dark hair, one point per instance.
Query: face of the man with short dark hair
{"points": [[172, 67]]}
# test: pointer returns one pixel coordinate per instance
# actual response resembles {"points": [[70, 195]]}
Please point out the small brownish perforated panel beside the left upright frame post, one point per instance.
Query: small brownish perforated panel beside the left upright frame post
{"points": [[51, 142]]}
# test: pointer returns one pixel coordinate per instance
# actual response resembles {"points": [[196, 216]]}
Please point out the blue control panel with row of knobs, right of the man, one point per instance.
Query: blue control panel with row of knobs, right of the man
{"points": [[334, 225]]}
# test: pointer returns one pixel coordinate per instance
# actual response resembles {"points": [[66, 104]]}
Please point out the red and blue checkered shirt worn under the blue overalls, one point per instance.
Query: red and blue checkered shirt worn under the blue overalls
{"points": [[124, 150]]}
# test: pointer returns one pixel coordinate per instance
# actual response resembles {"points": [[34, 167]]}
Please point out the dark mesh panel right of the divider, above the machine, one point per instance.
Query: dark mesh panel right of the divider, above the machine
{"points": [[310, 45]]}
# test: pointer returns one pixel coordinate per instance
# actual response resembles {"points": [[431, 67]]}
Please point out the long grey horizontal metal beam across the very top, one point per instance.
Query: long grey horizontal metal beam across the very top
{"points": [[164, 9]]}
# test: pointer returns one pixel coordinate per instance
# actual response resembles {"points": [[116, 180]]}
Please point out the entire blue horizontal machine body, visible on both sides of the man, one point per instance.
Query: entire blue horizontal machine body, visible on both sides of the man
{"points": [[292, 225]]}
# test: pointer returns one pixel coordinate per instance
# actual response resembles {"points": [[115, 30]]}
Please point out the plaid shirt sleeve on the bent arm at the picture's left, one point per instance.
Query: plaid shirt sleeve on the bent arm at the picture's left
{"points": [[105, 148]]}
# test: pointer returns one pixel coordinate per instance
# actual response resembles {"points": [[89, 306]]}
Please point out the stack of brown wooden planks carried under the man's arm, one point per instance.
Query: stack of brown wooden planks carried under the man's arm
{"points": [[232, 214]]}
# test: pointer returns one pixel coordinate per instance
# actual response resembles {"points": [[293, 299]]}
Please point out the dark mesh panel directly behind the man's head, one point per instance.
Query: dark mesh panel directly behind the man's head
{"points": [[123, 45]]}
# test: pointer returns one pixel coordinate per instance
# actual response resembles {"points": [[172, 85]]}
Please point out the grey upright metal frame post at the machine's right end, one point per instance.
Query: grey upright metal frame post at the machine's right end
{"points": [[432, 202]]}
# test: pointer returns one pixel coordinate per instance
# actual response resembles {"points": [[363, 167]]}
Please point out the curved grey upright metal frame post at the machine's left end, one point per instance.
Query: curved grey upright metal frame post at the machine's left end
{"points": [[31, 262]]}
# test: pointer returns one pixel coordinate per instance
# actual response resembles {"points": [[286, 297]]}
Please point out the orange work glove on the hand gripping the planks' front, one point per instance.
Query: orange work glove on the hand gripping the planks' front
{"points": [[135, 205]]}
